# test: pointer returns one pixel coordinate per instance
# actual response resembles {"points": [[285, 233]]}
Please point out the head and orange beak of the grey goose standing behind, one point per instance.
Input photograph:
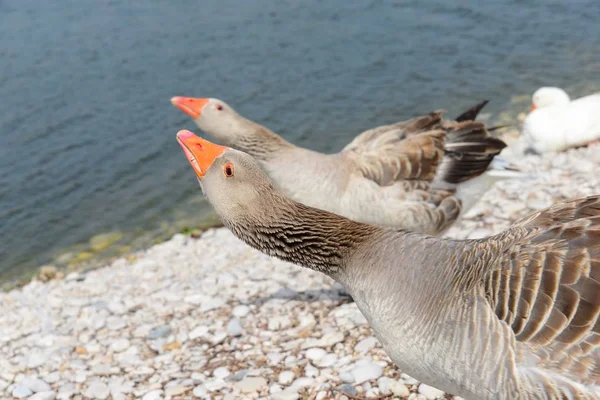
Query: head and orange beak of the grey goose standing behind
{"points": [[214, 117]]}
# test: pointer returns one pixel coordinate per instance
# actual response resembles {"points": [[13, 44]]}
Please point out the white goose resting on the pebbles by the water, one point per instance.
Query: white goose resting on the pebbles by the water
{"points": [[556, 123]]}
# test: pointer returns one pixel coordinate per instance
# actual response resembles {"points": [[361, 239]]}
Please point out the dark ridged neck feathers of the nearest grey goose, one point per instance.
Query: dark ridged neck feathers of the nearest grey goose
{"points": [[302, 235]]}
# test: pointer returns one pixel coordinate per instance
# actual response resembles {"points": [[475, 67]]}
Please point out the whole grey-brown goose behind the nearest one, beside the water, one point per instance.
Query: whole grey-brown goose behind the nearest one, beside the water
{"points": [[402, 175]]}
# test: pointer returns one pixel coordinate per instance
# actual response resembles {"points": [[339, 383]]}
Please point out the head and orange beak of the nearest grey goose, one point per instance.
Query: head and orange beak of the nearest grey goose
{"points": [[232, 180]]}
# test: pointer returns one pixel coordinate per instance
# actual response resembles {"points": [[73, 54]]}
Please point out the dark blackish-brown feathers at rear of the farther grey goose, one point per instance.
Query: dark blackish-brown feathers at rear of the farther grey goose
{"points": [[469, 150]]}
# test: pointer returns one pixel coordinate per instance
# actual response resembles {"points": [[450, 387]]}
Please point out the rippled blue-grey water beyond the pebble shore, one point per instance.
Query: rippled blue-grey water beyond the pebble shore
{"points": [[87, 131]]}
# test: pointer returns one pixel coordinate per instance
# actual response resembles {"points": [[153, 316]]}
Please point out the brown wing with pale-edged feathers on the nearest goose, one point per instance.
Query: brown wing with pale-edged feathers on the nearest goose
{"points": [[546, 286]]}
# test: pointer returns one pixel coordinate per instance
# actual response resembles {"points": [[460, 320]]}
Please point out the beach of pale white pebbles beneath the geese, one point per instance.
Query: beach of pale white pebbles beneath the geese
{"points": [[212, 318]]}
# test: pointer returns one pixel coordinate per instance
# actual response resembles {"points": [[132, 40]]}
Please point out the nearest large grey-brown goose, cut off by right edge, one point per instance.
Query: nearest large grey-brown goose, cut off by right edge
{"points": [[511, 316]]}
